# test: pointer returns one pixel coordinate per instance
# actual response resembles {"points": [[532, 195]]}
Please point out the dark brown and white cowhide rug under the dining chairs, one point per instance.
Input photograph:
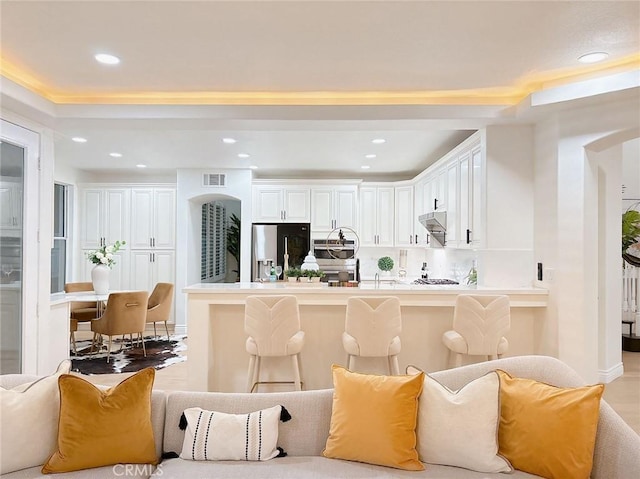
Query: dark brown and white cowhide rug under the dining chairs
{"points": [[160, 354]]}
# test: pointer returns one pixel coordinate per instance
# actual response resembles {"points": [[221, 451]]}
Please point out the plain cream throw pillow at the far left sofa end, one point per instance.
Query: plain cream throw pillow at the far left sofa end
{"points": [[29, 421]]}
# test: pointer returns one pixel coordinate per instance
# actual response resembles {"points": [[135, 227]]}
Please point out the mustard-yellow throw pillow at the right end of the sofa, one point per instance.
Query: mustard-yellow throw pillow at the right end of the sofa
{"points": [[547, 430]]}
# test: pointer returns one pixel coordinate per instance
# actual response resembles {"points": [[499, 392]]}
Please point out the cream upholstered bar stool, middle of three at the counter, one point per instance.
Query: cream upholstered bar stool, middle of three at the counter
{"points": [[372, 328]]}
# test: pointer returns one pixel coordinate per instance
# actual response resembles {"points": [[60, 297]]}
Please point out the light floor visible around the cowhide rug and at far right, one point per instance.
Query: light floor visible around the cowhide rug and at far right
{"points": [[623, 394]]}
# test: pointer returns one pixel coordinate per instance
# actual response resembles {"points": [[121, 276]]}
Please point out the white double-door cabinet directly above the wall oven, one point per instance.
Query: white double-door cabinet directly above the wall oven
{"points": [[333, 208]]}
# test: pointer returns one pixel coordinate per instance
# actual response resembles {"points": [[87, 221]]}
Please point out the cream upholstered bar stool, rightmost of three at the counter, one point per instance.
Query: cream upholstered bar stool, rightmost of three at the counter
{"points": [[479, 325]]}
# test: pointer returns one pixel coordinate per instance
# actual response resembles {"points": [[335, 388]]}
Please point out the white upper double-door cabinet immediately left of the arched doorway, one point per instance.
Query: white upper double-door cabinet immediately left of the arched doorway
{"points": [[153, 216]]}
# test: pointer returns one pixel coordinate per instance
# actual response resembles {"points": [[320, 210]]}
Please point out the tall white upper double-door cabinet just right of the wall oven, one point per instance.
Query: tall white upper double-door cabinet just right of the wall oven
{"points": [[376, 215]]}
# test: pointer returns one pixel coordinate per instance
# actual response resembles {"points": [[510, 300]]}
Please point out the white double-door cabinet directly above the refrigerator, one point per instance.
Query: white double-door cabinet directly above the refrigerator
{"points": [[278, 204]]}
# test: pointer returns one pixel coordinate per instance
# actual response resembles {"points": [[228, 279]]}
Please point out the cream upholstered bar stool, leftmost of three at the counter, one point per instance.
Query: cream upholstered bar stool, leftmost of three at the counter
{"points": [[273, 326]]}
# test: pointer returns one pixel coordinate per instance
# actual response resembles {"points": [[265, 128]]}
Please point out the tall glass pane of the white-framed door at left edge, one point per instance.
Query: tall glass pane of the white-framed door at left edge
{"points": [[12, 169]]}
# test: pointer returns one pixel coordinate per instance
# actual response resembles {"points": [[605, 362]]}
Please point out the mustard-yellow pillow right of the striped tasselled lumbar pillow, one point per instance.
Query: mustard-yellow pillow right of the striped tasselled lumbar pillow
{"points": [[374, 419]]}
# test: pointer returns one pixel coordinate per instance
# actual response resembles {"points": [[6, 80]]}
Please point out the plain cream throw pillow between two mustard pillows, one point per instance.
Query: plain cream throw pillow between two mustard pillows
{"points": [[460, 428]]}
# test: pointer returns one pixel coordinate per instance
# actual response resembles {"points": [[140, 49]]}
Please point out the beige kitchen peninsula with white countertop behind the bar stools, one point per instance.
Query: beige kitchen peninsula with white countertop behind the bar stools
{"points": [[218, 360]]}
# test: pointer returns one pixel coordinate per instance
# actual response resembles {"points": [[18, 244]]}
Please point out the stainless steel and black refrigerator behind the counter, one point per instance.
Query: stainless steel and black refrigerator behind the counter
{"points": [[269, 243]]}
